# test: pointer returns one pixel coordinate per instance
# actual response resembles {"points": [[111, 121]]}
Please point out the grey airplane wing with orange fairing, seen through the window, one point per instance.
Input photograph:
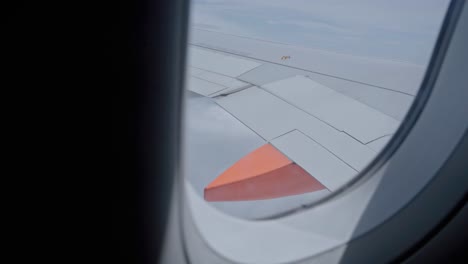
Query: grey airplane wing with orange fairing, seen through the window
{"points": [[270, 120]]}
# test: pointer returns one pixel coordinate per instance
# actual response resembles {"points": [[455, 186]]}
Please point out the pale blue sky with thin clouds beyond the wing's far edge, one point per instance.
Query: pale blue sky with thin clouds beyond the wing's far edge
{"points": [[403, 30]]}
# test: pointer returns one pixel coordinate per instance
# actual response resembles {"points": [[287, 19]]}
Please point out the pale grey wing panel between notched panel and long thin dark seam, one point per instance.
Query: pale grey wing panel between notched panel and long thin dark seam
{"points": [[343, 113]]}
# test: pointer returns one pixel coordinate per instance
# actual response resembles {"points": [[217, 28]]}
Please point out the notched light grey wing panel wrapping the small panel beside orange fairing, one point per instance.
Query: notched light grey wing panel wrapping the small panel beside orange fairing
{"points": [[270, 117]]}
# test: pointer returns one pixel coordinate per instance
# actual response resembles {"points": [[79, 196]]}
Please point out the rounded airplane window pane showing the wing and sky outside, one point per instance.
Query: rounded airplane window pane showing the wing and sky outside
{"points": [[287, 101]]}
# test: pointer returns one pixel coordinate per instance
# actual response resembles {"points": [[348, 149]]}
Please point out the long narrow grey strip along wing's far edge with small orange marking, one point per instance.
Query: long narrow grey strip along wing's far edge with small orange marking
{"points": [[395, 75]]}
